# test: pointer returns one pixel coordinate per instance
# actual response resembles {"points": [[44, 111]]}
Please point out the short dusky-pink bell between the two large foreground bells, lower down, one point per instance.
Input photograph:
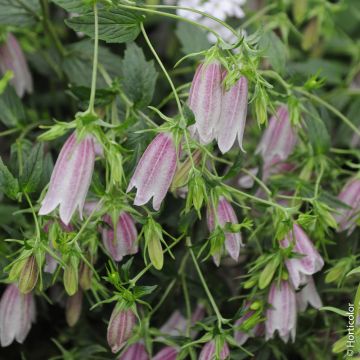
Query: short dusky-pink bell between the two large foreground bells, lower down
{"points": [[125, 240]]}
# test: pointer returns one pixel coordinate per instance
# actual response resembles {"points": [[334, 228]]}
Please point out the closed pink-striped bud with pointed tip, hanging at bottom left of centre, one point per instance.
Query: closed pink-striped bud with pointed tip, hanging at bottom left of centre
{"points": [[121, 325]]}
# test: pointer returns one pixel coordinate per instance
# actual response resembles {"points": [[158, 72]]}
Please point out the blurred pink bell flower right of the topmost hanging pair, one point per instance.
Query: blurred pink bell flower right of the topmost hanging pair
{"points": [[278, 140]]}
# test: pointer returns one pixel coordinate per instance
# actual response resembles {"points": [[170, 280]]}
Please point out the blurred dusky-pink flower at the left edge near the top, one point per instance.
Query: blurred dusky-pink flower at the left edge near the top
{"points": [[12, 58]]}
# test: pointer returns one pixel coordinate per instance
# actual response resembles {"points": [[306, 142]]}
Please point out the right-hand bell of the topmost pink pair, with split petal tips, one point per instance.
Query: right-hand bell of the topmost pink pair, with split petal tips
{"points": [[233, 116]]}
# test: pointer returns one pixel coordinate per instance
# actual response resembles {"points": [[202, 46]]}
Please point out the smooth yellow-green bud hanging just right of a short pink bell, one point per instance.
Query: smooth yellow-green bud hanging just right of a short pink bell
{"points": [[153, 237]]}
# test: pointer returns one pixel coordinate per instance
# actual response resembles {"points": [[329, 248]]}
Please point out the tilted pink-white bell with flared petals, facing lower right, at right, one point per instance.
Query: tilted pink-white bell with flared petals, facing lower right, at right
{"points": [[311, 261]]}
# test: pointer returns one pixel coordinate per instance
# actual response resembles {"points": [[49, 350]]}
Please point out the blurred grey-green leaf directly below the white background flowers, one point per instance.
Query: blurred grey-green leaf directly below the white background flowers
{"points": [[192, 38]]}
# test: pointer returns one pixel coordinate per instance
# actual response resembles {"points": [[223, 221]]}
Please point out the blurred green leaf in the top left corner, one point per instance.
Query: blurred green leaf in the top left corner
{"points": [[20, 13]]}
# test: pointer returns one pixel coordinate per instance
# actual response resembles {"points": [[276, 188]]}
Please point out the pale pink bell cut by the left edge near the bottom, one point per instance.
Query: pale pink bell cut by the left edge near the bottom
{"points": [[17, 313]]}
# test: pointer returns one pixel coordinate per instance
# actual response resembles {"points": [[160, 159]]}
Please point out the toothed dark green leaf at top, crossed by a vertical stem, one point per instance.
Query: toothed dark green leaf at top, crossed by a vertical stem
{"points": [[115, 26]]}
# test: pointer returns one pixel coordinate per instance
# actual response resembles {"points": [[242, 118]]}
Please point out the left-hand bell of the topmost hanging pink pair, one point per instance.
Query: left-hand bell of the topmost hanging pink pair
{"points": [[205, 100]]}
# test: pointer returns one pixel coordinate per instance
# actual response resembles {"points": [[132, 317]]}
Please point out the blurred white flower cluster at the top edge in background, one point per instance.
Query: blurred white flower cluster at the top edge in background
{"points": [[222, 9]]}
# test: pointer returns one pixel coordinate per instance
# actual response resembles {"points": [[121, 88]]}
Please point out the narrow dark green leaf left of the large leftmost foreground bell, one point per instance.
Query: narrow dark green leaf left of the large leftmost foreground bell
{"points": [[33, 168]]}
